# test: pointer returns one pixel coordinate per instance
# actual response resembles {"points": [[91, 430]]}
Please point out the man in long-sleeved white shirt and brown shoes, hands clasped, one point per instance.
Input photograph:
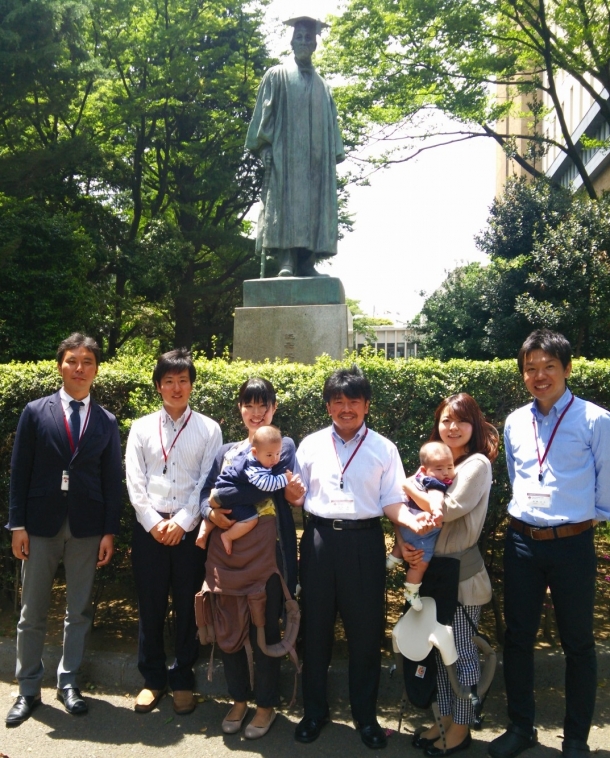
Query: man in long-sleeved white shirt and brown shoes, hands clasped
{"points": [[169, 454]]}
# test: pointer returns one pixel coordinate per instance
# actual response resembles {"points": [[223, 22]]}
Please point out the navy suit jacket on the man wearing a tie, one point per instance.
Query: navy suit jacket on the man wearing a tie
{"points": [[42, 452]]}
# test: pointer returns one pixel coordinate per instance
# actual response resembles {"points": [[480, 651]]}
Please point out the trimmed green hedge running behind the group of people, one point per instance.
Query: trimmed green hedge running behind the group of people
{"points": [[405, 394]]}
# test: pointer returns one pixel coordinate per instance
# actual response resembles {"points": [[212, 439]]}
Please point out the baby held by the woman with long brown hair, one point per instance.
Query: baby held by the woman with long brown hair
{"points": [[435, 473]]}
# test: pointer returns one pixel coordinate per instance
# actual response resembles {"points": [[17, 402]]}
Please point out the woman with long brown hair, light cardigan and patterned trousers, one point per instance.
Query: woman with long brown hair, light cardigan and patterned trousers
{"points": [[459, 423]]}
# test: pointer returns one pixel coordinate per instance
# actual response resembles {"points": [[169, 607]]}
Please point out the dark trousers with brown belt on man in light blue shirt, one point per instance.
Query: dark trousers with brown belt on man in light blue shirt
{"points": [[567, 566]]}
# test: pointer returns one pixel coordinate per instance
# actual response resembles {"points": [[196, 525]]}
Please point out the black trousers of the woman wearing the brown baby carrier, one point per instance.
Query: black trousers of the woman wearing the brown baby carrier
{"points": [[266, 669]]}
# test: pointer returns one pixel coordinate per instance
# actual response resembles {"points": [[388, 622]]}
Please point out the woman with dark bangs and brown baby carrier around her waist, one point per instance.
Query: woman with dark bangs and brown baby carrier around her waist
{"points": [[255, 554]]}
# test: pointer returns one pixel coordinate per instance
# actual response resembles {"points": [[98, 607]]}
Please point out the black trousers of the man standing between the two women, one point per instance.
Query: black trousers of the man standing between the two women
{"points": [[342, 571]]}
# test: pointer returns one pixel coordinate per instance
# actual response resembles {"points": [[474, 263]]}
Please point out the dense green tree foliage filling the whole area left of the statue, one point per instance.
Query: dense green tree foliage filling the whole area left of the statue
{"points": [[129, 120]]}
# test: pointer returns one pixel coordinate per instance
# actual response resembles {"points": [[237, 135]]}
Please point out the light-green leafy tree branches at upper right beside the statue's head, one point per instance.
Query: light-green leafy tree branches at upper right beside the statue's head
{"points": [[400, 59]]}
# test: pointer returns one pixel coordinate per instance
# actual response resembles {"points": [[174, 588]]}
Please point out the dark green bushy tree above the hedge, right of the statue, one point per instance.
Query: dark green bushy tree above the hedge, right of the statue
{"points": [[549, 267]]}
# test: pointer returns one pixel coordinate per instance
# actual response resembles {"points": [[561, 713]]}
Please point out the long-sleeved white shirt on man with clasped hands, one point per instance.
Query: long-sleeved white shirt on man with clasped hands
{"points": [[188, 464]]}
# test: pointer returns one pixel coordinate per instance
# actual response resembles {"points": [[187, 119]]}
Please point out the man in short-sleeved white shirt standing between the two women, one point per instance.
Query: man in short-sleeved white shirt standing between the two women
{"points": [[352, 475]]}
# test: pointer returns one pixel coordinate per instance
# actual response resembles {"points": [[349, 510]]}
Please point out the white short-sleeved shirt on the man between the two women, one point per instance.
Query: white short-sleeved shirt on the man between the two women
{"points": [[373, 477]]}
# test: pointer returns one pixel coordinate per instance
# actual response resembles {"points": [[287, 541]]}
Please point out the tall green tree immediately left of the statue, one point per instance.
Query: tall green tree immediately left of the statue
{"points": [[183, 79]]}
